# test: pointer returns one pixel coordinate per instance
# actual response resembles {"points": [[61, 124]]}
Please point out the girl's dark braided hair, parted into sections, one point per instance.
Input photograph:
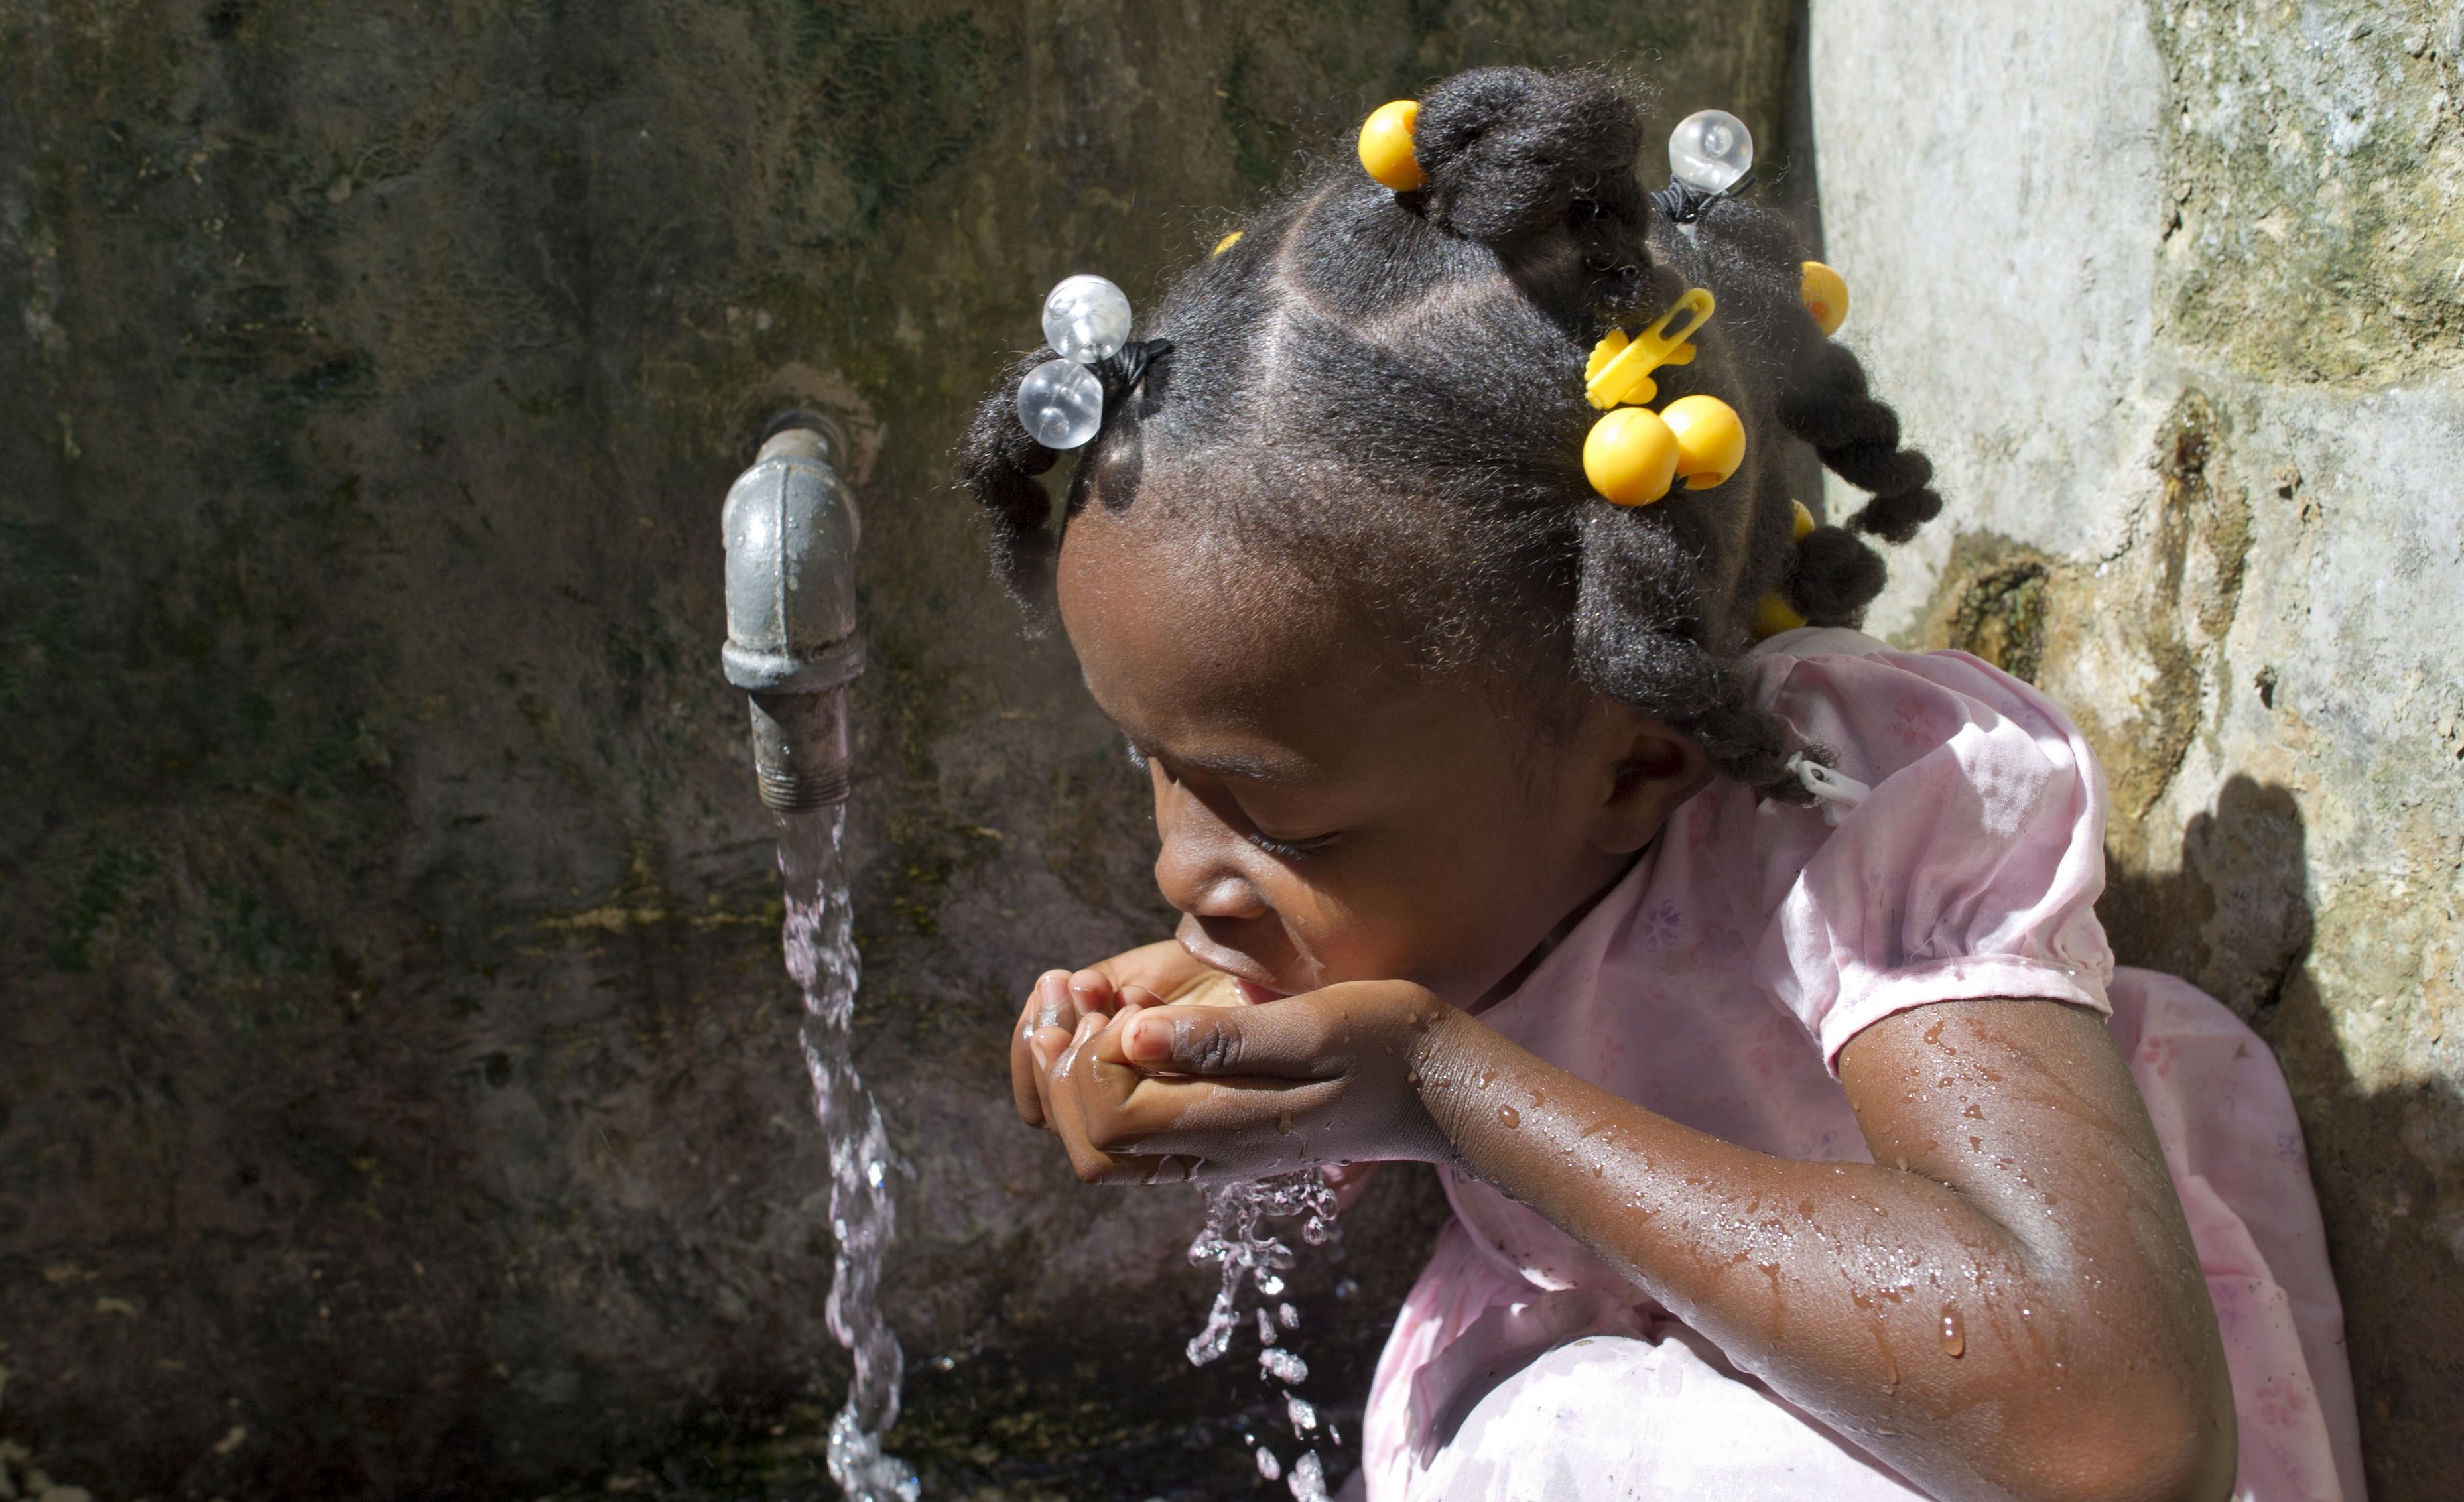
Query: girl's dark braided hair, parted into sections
{"points": [[1388, 390]]}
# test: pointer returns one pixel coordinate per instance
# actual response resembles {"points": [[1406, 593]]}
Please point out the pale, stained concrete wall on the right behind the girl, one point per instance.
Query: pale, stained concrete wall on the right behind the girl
{"points": [[2174, 294]]}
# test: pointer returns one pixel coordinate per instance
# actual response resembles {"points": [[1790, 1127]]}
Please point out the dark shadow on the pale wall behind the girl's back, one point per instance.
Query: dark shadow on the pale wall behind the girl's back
{"points": [[2389, 1161]]}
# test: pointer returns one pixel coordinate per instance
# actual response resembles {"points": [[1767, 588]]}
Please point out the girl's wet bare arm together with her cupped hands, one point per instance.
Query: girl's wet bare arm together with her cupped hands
{"points": [[2004, 1304]]}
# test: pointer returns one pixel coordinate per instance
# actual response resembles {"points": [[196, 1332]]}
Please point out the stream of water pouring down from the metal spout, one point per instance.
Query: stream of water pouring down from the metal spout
{"points": [[822, 959]]}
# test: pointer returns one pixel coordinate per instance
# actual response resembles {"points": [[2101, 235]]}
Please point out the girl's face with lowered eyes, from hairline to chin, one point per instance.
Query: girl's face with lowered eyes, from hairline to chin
{"points": [[1327, 816]]}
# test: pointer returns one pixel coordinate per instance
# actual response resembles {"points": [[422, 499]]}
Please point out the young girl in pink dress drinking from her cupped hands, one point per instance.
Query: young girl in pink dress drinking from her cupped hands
{"points": [[1802, 1136]]}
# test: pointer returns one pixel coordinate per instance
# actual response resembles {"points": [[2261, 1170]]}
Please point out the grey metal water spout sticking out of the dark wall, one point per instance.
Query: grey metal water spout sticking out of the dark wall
{"points": [[790, 526]]}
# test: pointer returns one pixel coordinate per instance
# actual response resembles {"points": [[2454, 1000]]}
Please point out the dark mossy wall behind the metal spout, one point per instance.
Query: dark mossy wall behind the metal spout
{"points": [[398, 1092]]}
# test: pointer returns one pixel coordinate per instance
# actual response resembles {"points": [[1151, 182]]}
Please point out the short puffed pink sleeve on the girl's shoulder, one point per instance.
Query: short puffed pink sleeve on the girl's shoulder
{"points": [[1970, 873]]}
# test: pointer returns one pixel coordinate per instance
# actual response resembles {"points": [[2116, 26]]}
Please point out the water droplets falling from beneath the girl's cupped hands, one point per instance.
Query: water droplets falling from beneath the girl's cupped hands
{"points": [[1246, 1250]]}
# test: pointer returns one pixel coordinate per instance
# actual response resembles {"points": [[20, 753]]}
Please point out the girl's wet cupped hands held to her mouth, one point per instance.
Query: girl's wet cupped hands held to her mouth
{"points": [[1199, 1092]]}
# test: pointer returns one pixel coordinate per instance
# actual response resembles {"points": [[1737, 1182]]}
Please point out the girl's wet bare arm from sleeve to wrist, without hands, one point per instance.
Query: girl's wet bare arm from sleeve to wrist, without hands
{"points": [[2004, 1304]]}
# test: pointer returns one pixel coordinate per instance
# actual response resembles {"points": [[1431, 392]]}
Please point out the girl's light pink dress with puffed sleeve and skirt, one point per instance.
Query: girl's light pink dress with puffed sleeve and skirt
{"points": [[1719, 984]]}
